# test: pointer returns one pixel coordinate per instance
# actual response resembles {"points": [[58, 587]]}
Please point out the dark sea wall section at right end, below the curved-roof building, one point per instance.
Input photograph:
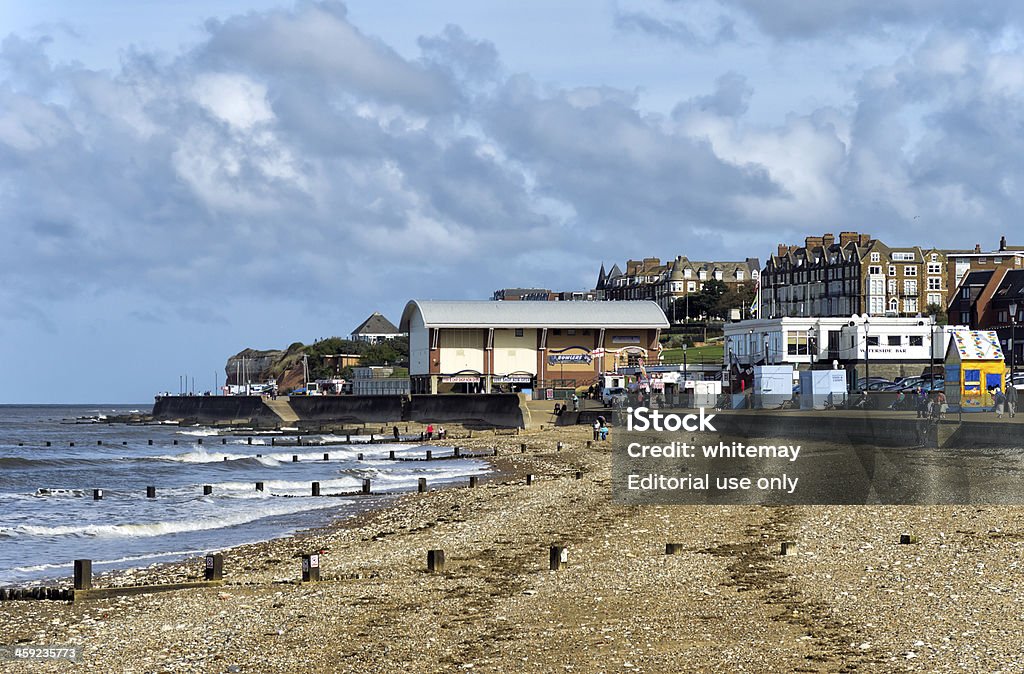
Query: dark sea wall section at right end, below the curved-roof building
{"points": [[504, 410]]}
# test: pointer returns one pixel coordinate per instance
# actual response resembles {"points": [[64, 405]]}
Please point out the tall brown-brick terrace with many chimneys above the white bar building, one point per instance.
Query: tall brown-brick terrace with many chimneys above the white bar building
{"points": [[854, 275]]}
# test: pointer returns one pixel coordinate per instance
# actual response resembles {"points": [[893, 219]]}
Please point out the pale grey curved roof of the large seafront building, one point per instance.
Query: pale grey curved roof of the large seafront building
{"points": [[487, 314]]}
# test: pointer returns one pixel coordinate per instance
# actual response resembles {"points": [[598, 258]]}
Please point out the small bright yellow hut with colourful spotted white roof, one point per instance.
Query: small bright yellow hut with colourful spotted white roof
{"points": [[975, 368]]}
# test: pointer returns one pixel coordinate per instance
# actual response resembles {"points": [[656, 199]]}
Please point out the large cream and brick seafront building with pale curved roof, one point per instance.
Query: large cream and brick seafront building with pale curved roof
{"points": [[480, 346]]}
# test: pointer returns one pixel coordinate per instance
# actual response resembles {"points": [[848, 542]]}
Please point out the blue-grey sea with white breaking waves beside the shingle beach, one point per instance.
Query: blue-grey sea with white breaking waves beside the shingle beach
{"points": [[50, 517]]}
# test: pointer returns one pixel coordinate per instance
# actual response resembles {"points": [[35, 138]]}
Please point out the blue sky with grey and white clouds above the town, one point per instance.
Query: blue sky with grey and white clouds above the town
{"points": [[181, 181]]}
